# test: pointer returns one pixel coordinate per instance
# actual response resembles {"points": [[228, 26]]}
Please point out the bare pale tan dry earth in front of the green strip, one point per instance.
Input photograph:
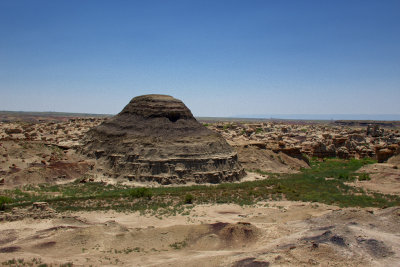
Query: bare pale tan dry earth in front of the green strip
{"points": [[278, 233]]}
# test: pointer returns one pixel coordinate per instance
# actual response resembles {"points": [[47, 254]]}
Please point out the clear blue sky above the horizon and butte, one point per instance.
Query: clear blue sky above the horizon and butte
{"points": [[222, 58]]}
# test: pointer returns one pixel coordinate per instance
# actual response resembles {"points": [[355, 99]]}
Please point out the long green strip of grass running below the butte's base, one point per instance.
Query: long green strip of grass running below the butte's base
{"points": [[324, 182]]}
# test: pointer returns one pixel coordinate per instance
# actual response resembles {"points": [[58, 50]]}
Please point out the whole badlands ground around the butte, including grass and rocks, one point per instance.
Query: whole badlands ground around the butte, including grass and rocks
{"points": [[314, 194]]}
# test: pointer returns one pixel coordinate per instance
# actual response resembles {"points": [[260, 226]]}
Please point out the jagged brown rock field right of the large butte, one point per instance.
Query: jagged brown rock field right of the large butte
{"points": [[296, 139]]}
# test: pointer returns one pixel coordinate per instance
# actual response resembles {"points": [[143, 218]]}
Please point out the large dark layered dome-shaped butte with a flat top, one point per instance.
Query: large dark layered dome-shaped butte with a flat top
{"points": [[156, 138]]}
